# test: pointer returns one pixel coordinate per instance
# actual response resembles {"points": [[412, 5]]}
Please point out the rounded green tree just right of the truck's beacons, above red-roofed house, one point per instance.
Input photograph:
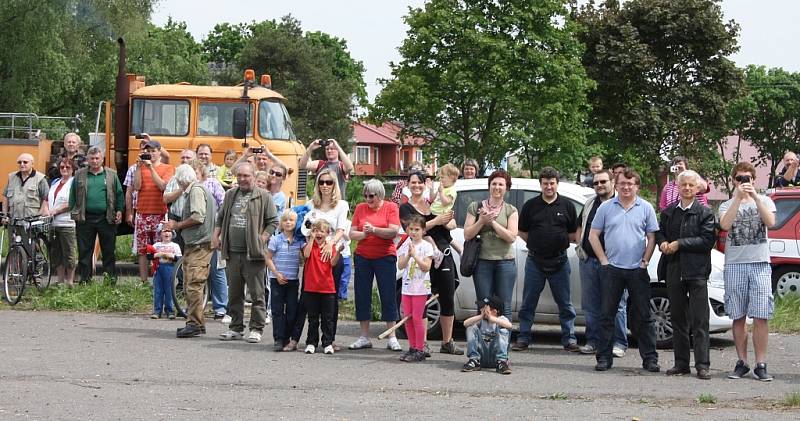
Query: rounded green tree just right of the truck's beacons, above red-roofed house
{"points": [[307, 74]]}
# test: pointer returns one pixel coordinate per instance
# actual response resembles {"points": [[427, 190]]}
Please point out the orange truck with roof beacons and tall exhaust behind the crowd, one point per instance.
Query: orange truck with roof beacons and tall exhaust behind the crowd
{"points": [[182, 116]]}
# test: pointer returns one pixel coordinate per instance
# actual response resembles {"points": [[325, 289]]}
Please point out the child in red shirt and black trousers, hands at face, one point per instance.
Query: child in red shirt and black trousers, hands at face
{"points": [[319, 289]]}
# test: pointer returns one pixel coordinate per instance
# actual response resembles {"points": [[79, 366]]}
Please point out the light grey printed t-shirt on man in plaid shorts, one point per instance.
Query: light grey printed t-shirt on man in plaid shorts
{"points": [[747, 238]]}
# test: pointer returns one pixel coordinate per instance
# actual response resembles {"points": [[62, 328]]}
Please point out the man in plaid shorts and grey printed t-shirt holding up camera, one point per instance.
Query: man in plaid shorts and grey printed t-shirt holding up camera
{"points": [[748, 274]]}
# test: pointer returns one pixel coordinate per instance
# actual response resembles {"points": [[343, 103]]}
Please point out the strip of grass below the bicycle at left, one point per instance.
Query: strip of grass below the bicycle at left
{"points": [[104, 296]]}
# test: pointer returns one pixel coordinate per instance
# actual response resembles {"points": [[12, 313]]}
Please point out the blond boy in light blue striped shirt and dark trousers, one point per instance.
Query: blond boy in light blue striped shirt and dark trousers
{"points": [[283, 263]]}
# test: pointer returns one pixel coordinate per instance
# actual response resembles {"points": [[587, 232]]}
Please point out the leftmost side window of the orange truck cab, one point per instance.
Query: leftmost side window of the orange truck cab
{"points": [[160, 117]]}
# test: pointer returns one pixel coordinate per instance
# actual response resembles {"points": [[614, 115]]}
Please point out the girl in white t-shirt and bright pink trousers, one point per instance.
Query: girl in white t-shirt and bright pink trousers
{"points": [[415, 258]]}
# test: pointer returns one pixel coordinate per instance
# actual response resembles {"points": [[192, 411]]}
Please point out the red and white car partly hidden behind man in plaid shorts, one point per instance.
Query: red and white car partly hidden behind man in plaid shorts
{"points": [[784, 241]]}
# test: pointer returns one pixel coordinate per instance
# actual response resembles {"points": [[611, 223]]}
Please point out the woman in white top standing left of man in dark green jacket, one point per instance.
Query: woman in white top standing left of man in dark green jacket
{"points": [[64, 246]]}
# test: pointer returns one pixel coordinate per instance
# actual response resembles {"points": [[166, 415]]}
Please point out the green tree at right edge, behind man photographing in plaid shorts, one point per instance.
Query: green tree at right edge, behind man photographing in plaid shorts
{"points": [[769, 114]]}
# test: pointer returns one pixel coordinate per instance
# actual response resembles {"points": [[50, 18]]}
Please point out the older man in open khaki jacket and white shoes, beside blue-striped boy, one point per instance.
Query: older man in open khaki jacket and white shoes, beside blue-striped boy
{"points": [[248, 217]]}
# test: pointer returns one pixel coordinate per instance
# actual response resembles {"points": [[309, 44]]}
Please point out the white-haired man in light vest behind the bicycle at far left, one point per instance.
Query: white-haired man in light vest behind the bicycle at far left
{"points": [[26, 191]]}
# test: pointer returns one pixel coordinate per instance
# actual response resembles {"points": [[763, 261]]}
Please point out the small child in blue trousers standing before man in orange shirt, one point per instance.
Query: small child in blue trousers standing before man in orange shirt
{"points": [[167, 254]]}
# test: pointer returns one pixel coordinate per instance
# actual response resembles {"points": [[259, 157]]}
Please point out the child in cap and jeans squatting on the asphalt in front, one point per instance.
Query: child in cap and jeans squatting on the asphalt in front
{"points": [[488, 334]]}
